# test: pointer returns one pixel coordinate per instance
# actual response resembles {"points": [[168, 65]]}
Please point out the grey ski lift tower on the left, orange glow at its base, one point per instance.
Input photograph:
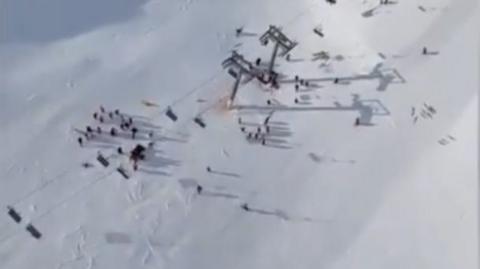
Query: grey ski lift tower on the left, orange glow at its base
{"points": [[237, 68]]}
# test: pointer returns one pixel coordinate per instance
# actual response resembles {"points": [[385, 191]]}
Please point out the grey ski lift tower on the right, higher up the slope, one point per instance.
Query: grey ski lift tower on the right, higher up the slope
{"points": [[282, 42]]}
